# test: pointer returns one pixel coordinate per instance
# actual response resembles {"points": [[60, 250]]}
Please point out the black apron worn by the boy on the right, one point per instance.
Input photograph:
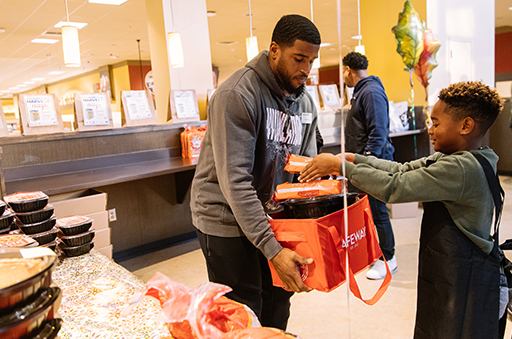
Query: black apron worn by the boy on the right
{"points": [[458, 284]]}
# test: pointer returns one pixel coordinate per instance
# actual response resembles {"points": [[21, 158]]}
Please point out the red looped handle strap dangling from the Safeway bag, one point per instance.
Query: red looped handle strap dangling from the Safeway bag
{"points": [[354, 287]]}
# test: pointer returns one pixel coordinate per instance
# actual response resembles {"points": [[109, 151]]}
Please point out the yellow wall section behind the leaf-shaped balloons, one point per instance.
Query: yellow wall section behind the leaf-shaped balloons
{"points": [[377, 19]]}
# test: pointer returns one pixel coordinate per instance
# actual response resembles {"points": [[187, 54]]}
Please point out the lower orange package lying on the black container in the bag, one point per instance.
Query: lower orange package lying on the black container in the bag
{"points": [[307, 189]]}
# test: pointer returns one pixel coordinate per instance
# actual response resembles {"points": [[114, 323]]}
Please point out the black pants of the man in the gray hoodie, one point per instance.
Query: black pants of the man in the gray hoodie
{"points": [[235, 262]]}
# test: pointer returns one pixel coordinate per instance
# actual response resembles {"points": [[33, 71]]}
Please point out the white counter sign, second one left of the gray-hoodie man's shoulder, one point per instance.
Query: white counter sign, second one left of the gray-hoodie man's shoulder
{"points": [[137, 108]]}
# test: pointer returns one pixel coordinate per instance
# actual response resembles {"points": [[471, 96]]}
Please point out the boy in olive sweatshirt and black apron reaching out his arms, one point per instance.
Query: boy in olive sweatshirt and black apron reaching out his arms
{"points": [[458, 273]]}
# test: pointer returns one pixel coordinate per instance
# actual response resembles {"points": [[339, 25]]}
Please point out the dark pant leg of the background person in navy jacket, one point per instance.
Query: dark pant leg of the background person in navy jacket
{"points": [[383, 225]]}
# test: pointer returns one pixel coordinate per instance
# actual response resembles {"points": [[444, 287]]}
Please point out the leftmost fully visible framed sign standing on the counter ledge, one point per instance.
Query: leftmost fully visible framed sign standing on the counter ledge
{"points": [[40, 114]]}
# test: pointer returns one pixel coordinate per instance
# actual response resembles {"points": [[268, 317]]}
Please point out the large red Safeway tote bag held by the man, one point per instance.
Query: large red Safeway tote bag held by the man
{"points": [[324, 240]]}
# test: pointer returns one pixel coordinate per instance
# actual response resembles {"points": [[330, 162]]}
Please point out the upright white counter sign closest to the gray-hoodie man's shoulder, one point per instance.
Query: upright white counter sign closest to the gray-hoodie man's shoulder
{"points": [[183, 106]]}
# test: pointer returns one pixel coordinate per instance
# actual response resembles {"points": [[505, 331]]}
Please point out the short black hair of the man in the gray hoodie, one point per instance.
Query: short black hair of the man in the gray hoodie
{"points": [[295, 27]]}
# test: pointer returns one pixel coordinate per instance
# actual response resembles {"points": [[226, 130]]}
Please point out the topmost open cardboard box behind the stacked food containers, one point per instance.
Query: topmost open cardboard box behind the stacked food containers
{"points": [[78, 203]]}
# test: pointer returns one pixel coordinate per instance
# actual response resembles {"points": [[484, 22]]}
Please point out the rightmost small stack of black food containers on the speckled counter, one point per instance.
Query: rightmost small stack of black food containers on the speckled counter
{"points": [[76, 235]]}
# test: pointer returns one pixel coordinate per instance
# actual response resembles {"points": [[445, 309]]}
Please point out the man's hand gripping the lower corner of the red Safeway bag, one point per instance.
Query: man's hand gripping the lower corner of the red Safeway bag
{"points": [[285, 263]]}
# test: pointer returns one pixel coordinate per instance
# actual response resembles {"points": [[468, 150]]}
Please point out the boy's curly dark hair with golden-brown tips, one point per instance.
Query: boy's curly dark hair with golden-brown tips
{"points": [[472, 99]]}
